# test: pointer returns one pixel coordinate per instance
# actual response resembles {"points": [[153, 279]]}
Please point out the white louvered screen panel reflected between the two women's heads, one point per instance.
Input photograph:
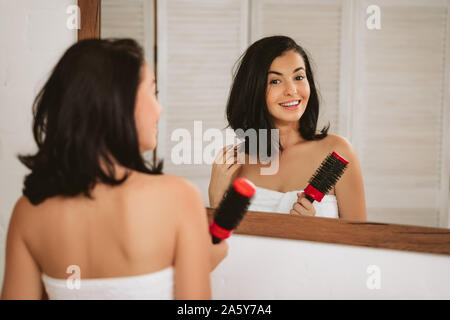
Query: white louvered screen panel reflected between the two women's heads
{"points": [[198, 43]]}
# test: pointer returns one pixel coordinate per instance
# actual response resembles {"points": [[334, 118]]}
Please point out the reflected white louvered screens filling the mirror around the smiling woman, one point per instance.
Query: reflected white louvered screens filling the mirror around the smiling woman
{"points": [[382, 72]]}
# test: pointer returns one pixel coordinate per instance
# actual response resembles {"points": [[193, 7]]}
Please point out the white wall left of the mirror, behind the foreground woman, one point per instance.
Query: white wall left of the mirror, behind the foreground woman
{"points": [[33, 35]]}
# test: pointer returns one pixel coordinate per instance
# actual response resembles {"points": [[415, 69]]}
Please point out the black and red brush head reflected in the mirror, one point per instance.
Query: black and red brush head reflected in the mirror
{"points": [[325, 177]]}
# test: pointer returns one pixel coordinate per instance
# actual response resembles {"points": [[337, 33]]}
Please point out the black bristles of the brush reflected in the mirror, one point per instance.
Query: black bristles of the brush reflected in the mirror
{"points": [[327, 175]]}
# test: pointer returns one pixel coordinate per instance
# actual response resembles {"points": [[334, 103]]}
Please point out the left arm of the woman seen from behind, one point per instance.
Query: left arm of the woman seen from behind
{"points": [[22, 279]]}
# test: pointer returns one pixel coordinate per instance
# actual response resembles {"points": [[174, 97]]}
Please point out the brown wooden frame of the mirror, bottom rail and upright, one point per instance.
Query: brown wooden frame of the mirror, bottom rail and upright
{"points": [[338, 231]]}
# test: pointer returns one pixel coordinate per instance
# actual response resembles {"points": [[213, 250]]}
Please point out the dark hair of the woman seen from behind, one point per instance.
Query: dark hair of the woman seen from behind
{"points": [[84, 116]]}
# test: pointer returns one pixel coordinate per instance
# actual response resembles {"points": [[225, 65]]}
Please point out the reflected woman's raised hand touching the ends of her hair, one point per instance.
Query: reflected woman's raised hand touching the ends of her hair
{"points": [[224, 170]]}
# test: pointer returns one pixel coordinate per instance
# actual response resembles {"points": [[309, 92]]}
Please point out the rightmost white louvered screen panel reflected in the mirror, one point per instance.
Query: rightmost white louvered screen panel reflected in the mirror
{"points": [[401, 103]]}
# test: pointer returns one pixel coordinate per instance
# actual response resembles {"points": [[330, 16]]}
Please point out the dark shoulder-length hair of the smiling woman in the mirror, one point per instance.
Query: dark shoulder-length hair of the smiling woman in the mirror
{"points": [[247, 106]]}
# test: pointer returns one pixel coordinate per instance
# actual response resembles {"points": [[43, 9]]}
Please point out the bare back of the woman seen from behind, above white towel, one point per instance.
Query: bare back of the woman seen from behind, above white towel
{"points": [[126, 230]]}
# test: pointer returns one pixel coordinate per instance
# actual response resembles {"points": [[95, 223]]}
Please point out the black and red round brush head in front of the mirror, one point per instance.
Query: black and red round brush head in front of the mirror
{"points": [[231, 209]]}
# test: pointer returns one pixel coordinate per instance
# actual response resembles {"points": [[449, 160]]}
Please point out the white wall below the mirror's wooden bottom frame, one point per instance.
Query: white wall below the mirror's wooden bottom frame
{"points": [[269, 268]]}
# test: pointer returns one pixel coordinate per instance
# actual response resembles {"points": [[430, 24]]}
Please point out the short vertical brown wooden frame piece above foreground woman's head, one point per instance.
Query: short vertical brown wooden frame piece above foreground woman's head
{"points": [[89, 19]]}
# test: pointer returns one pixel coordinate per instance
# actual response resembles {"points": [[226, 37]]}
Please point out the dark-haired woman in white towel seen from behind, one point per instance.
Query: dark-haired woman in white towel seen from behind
{"points": [[90, 204]]}
